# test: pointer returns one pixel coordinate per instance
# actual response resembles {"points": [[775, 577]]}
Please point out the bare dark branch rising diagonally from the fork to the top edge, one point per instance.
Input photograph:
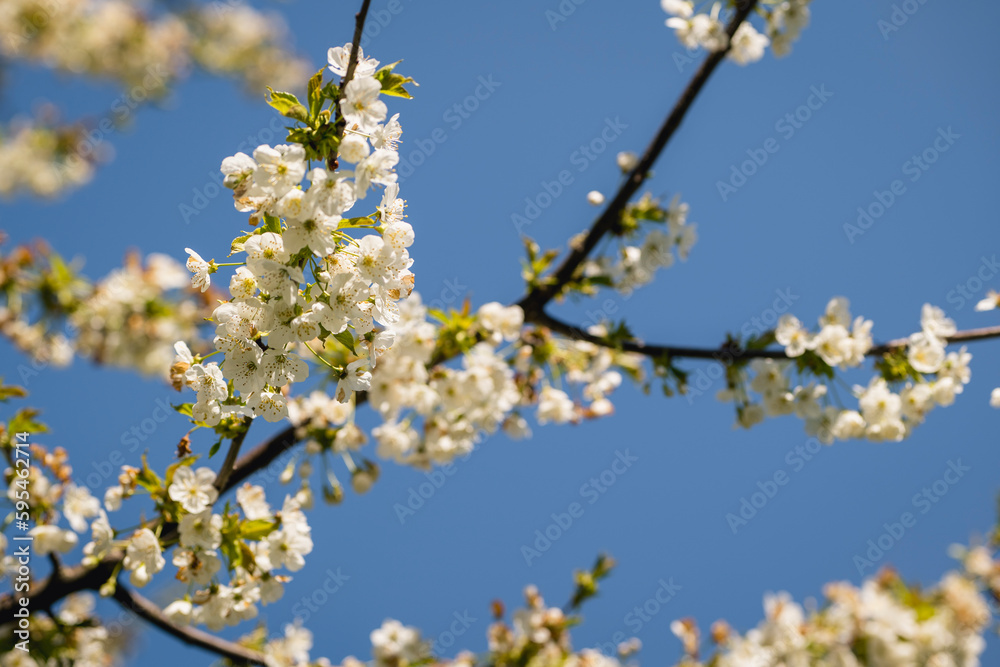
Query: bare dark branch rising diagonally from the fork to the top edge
{"points": [[536, 299]]}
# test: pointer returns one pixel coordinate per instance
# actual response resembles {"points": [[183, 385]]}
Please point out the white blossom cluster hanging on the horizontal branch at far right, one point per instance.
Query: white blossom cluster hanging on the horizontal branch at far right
{"points": [[911, 380]]}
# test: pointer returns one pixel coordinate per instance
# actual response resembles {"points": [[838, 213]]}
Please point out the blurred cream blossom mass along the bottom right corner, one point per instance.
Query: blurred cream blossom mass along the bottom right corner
{"points": [[882, 622]]}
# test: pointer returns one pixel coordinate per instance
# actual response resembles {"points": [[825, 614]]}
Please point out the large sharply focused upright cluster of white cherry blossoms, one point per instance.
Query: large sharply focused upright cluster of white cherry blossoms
{"points": [[305, 280]]}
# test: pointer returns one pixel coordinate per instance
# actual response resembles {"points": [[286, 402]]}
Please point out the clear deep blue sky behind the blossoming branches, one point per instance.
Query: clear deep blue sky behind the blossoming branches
{"points": [[552, 88]]}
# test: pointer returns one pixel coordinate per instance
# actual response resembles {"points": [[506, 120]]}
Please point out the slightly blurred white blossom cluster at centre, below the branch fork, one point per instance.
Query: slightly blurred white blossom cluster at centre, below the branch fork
{"points": [[491, 389]]}
